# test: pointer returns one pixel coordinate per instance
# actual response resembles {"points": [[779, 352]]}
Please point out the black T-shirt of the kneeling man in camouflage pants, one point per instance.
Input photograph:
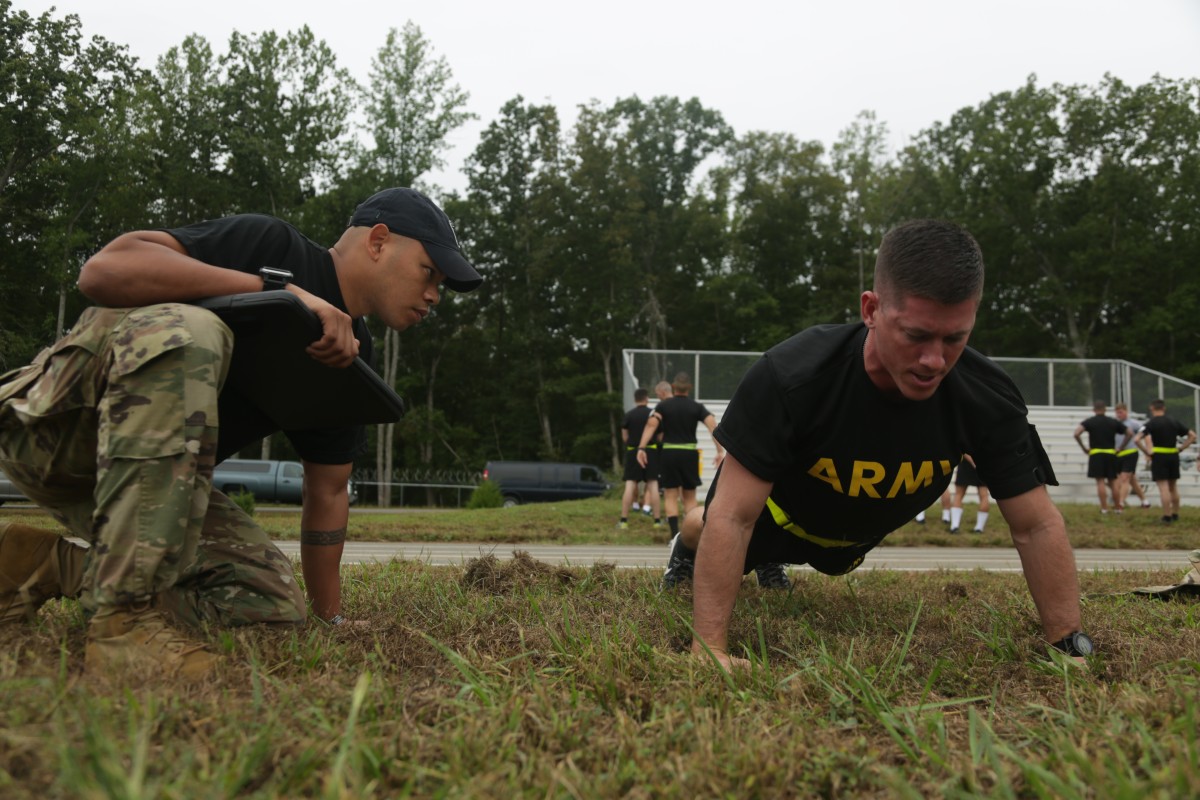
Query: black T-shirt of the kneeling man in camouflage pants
{"points": [[250, 242]]}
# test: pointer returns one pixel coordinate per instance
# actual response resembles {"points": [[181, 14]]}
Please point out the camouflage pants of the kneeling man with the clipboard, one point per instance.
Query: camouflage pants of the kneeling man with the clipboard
{"points": [[115, 431]]}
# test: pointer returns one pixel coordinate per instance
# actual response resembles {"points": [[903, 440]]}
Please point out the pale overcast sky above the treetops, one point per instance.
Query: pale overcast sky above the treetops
{"points": [[787, 65]]}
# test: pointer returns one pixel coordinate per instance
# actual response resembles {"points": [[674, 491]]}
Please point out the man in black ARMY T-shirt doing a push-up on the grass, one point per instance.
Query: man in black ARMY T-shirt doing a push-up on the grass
{"points": [[843, 434]]}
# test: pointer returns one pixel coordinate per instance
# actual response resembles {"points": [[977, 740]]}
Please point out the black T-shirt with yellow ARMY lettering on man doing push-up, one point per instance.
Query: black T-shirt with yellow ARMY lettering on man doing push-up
{"points": [[851, 464]]}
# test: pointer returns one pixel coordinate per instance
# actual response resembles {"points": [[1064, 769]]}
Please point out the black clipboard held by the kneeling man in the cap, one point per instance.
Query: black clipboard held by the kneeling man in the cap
{"points": [[272, 370]]}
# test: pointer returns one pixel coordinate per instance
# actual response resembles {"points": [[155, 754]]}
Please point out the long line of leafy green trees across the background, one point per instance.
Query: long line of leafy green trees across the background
{"points": [[647, 224]]}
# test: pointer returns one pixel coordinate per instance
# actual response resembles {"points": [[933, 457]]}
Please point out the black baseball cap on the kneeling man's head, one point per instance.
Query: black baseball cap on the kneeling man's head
{"points": [[411, 214]]}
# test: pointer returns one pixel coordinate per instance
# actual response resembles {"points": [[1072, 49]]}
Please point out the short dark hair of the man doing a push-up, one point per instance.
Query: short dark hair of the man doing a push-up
{"points": [[933, 260]]}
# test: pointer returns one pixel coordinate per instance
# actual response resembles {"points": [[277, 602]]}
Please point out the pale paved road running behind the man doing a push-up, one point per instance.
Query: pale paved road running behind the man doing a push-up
{"points": [[914, 560]]}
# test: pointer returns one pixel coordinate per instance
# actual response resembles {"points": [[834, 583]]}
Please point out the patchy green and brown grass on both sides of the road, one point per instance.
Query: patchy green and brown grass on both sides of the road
{"points": [[502, 679]]}
